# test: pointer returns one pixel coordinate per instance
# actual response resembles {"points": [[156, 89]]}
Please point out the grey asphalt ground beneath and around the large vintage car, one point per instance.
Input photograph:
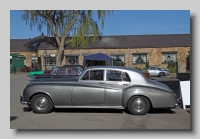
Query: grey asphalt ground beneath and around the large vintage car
{"points": [[20, 118]]}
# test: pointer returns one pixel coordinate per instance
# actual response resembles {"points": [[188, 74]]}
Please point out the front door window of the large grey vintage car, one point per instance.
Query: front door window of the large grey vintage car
{"points": [[93, 75]]}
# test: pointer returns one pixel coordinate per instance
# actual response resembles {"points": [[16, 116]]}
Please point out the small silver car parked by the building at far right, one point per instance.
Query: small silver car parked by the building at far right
{"points": [[157, 71]]}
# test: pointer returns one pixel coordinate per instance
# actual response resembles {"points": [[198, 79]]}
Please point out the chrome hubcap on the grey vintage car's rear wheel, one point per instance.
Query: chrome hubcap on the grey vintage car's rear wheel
{"points": [[138, 105]]}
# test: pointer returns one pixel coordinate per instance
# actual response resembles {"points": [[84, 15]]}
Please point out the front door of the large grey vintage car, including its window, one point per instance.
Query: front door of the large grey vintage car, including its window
{"points": [[90, 89]]}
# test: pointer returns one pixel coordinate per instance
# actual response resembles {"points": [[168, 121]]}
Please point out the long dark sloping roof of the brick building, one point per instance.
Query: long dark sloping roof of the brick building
{"points": [[115, 42]]}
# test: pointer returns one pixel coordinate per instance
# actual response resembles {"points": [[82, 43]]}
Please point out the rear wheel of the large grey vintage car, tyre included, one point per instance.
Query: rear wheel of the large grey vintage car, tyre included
{"points": [[138, 105]]}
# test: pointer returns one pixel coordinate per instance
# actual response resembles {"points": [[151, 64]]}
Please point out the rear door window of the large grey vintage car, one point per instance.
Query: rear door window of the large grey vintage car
{"points": [[113, 75]]}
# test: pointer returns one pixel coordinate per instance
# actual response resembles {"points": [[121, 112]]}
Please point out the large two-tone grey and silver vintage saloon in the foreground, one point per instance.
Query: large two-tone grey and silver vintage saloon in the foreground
{"points": [[113, 87]]}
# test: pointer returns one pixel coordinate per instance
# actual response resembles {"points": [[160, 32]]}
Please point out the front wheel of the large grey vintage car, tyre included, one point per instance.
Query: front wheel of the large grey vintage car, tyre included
{"points": [[41, 104]]}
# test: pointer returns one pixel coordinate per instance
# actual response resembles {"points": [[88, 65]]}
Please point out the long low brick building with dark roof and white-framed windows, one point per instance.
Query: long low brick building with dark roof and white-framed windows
{"points": [[133, 50]]}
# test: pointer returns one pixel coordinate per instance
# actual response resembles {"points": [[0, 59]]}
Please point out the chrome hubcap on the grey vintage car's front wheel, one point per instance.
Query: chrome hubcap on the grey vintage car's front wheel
{"points": [[41, 103]]}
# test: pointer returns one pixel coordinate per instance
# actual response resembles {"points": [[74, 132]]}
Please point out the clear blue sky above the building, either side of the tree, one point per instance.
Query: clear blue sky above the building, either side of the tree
{"points": [[121, 22]]}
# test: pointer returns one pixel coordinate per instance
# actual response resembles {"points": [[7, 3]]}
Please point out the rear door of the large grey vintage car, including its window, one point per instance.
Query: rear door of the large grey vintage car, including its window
{"points": [[116, 81]]}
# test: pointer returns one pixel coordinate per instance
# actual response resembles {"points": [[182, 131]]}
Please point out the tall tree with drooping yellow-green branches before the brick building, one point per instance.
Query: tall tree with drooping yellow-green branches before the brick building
{"points": [[73, 28]]}
